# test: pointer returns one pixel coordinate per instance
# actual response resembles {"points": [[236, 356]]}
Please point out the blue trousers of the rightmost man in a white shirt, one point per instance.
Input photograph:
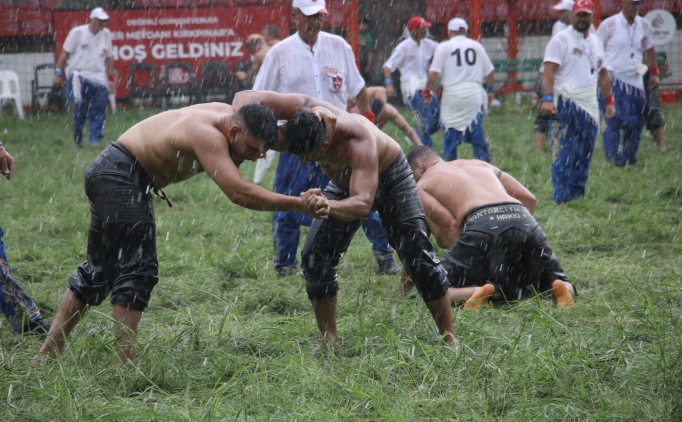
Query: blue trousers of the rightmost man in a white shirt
{"points": [[629, 119]]}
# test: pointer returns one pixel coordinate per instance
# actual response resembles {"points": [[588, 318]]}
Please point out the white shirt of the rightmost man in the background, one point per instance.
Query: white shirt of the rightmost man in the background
{"points": [[624, 45]]}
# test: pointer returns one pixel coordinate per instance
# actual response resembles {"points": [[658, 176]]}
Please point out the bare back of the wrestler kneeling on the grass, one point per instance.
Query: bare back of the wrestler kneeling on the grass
{"points": [[464, 185]]}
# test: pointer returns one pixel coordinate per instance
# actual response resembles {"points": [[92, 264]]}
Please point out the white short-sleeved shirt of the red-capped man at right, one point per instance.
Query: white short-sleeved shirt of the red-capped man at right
{"points": [[580, 59]]}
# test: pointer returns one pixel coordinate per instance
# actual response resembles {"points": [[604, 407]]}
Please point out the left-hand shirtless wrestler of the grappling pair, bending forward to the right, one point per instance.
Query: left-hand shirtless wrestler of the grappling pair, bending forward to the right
{"points": [[166, 148]]}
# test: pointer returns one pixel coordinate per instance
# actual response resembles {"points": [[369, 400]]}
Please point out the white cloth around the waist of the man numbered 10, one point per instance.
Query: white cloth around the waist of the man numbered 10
{"points": [[461, 103]]}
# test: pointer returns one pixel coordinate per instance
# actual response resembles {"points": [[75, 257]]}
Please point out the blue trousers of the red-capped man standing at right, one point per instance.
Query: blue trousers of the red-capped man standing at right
{"points": [[572, 137]]}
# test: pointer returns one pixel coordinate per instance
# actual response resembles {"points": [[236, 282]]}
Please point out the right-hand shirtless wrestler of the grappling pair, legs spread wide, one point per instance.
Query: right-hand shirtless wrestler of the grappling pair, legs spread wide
{"points": [[368, 172]]}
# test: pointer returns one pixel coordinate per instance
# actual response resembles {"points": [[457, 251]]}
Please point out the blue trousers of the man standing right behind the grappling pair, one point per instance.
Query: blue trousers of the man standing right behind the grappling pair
{"points": [[291, 178]]}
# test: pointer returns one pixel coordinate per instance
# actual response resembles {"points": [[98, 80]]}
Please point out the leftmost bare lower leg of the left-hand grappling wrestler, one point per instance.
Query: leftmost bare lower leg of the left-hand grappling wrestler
{"points": [[68, 314]]}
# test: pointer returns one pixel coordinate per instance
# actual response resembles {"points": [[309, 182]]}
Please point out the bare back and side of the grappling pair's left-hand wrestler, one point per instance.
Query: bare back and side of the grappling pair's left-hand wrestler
{"points": [[166, 144]]}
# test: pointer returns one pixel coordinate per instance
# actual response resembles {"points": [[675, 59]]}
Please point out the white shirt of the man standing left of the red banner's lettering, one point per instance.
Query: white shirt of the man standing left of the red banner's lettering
{"points": [[88, 53]]}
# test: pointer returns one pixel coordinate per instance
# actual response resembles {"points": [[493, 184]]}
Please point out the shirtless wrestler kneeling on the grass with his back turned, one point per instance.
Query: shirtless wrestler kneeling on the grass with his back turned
{"points": [[485, 218]]}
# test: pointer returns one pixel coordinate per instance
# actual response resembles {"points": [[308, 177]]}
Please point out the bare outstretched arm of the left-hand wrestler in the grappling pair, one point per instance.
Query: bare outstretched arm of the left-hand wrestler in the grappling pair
{"points": [[212, 151]]}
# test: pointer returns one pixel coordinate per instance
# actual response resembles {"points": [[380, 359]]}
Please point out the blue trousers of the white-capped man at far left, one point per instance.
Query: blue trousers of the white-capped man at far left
{"points": [[95, 99]]}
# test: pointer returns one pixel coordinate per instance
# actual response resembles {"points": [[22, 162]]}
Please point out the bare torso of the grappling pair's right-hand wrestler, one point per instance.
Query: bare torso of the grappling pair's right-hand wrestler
{"points": [[355, 135]]}
